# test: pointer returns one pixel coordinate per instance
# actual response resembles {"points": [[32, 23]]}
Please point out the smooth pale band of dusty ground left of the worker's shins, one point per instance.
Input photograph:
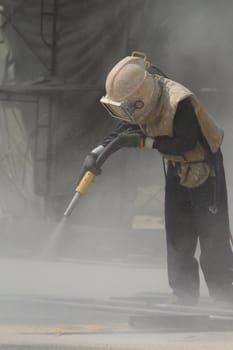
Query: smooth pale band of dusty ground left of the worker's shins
{"points": [[77, 279]]}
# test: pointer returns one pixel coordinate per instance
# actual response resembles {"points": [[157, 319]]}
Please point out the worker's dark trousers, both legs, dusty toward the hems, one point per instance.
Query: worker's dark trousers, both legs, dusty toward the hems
{"points": [[188, 217]]}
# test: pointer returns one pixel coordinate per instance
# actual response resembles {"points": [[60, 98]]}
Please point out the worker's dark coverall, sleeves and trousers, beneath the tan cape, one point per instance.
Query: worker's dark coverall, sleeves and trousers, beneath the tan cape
{"points": [[190, 214]]}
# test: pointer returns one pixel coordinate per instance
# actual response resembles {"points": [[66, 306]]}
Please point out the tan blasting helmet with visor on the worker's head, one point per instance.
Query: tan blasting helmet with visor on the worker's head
{"points": [[131, 91]]}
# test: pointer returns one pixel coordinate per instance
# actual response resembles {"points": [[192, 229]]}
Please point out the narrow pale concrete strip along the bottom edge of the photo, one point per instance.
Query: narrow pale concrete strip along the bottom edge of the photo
{"points": [[116, 342]]}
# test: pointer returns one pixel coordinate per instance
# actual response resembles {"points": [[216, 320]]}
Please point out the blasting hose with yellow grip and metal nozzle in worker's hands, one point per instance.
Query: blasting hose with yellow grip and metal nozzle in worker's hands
{"points": [[89, 177]]}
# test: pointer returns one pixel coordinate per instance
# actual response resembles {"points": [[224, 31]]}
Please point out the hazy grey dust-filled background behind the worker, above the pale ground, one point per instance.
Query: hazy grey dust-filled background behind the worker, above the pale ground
{"points": [[191, 41]]}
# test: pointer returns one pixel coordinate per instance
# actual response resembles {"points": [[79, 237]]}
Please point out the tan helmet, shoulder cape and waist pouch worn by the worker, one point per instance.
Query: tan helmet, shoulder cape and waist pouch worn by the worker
{"points": [[151, 102]]}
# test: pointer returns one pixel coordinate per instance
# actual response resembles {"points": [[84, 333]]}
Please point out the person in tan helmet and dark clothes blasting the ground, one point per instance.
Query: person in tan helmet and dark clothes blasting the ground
{"points": [[163, 115]]}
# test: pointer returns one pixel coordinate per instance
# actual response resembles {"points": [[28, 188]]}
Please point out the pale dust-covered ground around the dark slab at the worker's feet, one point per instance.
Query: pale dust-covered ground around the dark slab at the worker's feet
{"points": [[40, 308]]}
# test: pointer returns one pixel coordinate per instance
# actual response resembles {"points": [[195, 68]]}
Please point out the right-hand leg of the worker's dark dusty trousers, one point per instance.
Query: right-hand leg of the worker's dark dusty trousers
{"points": [[213, 228]]}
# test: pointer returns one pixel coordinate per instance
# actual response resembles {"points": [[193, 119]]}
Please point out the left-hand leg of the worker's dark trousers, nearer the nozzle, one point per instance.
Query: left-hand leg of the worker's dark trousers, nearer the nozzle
{"points": [[181, 234]]}
